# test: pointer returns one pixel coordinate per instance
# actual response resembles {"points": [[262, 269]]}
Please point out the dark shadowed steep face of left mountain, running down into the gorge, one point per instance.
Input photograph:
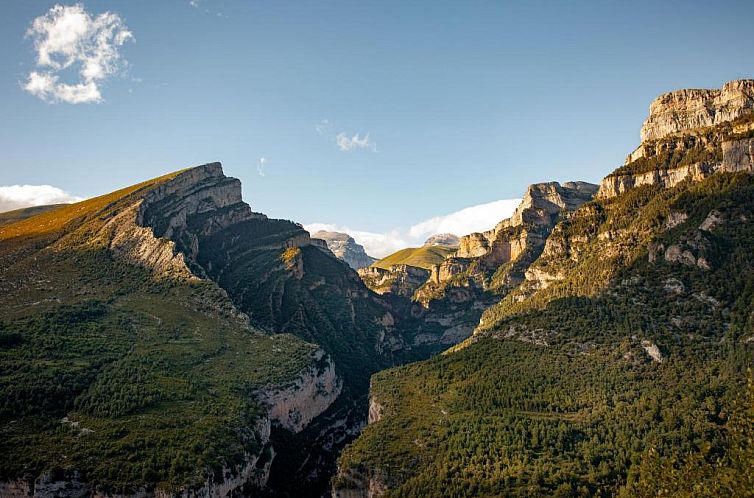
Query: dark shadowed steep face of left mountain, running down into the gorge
{"points": [[284, 281]]}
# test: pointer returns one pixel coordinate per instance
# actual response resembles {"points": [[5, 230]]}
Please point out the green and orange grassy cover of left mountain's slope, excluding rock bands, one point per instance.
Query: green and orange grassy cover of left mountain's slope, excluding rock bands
{"points": [[156, 376]]}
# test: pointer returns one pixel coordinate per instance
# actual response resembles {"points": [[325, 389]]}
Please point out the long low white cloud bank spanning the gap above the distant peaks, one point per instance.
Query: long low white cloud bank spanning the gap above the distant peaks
{"points": [[472, 219]]}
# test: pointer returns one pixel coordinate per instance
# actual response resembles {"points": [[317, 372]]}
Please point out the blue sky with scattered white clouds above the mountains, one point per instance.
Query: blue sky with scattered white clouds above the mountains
{"points": [[386, 118]]}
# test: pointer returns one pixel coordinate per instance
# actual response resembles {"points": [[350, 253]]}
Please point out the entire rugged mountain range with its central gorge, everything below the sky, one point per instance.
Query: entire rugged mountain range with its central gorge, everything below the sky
{"points": [[167, 340]]}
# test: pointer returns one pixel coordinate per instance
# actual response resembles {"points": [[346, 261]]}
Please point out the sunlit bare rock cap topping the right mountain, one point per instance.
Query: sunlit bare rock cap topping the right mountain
{"points": [[684, 110]]}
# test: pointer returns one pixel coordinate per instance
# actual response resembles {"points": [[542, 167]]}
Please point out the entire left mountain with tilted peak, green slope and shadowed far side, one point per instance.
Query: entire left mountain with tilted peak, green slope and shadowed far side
{"points": [[166, 339]]}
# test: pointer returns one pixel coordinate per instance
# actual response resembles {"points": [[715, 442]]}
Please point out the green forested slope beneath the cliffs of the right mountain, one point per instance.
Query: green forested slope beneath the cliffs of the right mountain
{"points": [[581, 415]]}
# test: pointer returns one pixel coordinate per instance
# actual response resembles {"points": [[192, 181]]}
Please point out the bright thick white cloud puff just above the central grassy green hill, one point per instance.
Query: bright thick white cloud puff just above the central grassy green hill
{"points": [[468, 220]]}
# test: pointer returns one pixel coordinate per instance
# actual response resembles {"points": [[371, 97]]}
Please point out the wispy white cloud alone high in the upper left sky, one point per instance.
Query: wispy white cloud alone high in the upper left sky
{"points": [[67, 35]]}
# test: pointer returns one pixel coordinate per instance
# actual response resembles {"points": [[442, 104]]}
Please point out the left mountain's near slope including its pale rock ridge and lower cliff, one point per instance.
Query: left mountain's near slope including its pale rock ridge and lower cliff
{"points": [[123, 371]]}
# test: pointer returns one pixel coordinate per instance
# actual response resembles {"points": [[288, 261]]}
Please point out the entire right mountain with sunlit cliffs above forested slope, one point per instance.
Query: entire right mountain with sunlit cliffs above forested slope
{"points": [[615, 359]]}
